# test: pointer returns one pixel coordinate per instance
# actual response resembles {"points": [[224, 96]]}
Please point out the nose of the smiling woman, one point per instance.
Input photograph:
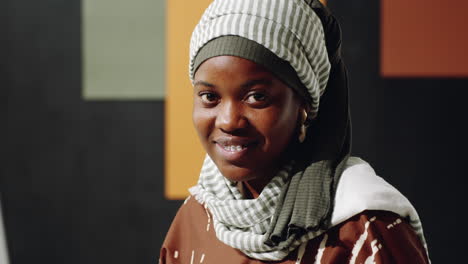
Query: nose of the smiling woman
{"points": [[231, 117]]}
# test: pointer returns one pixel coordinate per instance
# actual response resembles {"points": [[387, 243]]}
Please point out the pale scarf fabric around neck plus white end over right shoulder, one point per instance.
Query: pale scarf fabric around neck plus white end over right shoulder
{"points": [[244, 224]]}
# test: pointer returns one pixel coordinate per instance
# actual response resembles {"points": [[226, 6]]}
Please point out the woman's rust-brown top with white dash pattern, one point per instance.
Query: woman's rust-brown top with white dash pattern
{"points": [[369, 237]]}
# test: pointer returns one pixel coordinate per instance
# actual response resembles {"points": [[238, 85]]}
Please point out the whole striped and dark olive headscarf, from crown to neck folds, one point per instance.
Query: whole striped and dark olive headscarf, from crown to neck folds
{"points": [[297, 203]]}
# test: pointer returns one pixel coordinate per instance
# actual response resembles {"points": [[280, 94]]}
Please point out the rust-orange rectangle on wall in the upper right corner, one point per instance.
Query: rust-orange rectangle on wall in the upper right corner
{"points": [[424, 38]]}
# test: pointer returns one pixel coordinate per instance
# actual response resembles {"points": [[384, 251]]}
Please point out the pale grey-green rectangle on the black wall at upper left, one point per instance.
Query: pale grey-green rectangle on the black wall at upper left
{"points": [[123, 49]]}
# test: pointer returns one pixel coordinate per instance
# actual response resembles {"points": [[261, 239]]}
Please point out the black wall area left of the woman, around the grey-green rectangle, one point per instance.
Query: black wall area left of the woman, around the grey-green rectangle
{"points": [[83, 181]]}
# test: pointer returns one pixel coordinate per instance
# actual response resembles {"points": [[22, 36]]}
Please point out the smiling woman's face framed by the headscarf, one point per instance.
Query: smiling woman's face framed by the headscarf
{"points": [[245, 117]]}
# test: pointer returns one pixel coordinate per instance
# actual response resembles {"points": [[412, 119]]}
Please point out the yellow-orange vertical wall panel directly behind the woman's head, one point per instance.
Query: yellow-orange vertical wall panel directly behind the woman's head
{"points": [[183, 152]]}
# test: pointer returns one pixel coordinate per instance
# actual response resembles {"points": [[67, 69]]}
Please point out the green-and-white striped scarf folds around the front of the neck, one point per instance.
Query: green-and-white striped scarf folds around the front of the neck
{"points": [[246, 224]]}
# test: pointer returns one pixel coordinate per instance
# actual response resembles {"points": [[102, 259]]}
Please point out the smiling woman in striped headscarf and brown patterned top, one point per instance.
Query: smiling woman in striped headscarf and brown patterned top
{"points": [[277, 184]]}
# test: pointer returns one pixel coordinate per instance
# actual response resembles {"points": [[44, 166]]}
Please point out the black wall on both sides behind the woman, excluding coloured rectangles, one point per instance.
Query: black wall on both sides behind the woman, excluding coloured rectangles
{"points": [[82, 182]]}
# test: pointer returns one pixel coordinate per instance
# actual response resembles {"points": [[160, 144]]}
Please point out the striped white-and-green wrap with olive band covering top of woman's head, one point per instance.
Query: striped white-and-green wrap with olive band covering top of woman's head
{"points": [[289, 29]]}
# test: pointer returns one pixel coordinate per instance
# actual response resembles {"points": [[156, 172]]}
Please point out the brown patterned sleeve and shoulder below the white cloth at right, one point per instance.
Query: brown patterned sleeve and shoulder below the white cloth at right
{"points": [[372, 236]]}
